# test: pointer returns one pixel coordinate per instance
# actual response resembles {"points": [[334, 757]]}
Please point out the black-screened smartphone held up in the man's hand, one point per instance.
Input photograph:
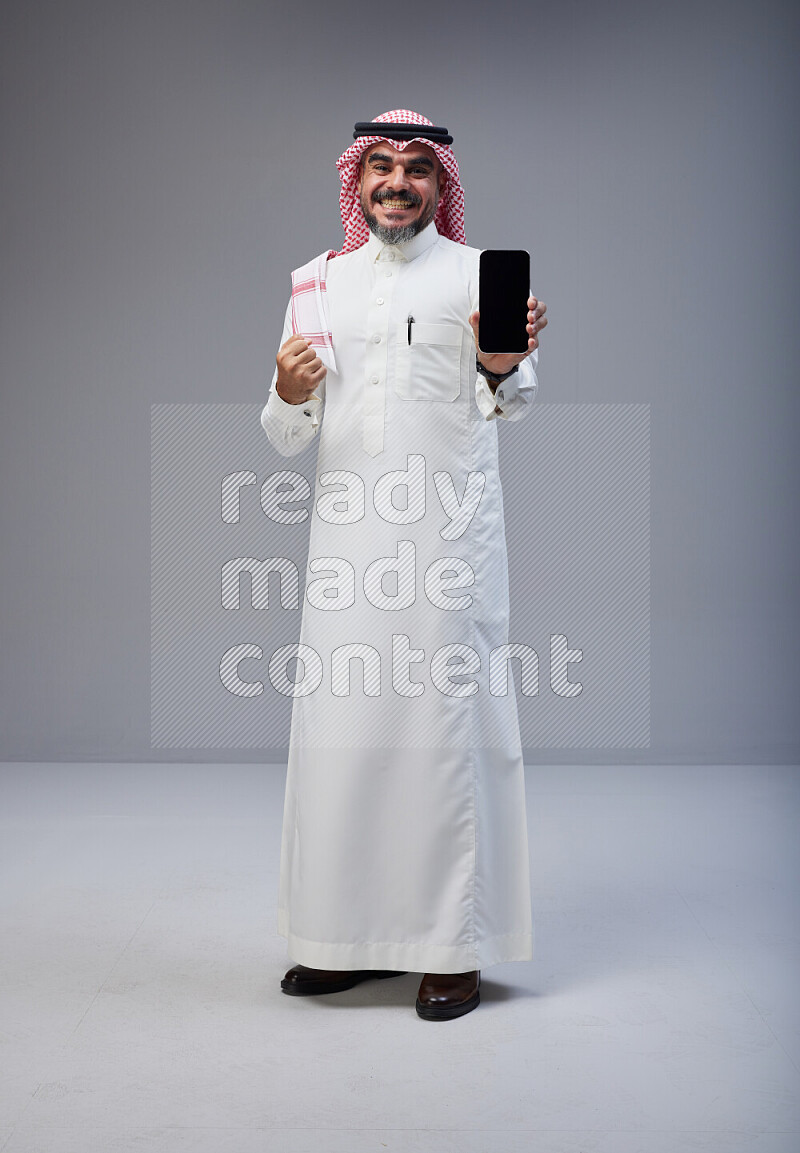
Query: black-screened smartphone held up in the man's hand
{"points": [[504, 290]]}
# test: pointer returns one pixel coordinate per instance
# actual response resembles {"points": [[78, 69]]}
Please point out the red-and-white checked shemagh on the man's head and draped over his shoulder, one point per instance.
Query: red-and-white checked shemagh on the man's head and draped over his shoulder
{"points": [[310, 305]]}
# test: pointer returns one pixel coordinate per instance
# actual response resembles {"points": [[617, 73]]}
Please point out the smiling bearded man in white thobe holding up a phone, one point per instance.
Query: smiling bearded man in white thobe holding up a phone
{"points": [[405, 838]]}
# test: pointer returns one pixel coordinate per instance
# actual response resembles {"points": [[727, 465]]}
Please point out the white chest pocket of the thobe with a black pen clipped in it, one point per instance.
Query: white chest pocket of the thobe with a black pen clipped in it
{"points": [[431, 367]]}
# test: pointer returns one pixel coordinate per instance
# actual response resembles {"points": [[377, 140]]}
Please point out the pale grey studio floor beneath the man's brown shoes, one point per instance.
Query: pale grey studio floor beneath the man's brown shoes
{"points": [[141, 968]]}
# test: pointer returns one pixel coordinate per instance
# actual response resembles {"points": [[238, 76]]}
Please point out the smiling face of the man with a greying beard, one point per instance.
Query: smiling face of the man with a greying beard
{"points": [[401, 191]]}
